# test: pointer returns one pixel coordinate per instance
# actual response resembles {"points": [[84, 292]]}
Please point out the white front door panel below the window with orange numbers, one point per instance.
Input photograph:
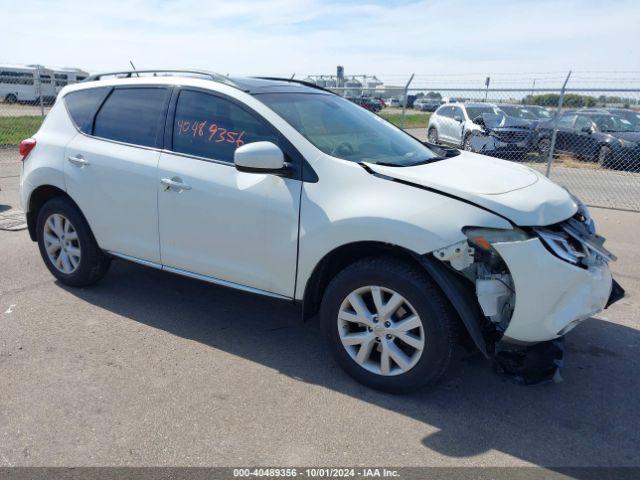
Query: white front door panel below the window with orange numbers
{"points": [[234, 226]]}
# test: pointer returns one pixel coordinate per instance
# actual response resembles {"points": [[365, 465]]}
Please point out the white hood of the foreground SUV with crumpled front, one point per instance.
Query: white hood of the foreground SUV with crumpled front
{"points": [[519, 193]]}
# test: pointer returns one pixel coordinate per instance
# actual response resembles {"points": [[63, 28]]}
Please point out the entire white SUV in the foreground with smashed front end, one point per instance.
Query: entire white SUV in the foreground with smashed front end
{"points": [[283, 189]]}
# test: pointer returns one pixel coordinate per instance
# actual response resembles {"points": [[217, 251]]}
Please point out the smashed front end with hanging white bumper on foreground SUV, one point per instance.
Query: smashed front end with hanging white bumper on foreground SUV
{"points": [[532, 286]]}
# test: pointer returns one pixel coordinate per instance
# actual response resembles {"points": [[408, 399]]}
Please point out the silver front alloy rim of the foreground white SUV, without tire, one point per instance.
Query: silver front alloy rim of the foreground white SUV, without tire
{"points": [[381, 331]]}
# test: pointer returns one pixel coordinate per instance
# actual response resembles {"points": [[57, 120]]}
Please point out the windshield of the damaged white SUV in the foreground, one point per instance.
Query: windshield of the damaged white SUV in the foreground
{"points": [[341, 129]]}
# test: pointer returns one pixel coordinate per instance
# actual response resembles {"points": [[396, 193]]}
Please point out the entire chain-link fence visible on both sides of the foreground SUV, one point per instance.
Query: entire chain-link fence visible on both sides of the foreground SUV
{"points": [[587, 139]]}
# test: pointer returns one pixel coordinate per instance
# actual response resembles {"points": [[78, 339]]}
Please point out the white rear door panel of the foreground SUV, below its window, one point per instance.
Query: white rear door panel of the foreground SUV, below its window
{"points": [[117, 192]]}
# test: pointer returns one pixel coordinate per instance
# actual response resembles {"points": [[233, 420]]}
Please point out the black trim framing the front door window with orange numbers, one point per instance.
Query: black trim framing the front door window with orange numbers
{"points": [[300, 170]]}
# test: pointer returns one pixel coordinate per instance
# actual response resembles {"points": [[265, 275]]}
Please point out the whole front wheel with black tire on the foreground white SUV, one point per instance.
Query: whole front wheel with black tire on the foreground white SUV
{"points": [[388, 325]]}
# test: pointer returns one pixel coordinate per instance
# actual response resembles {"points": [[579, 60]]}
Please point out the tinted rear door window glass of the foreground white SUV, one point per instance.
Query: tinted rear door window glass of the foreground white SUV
{"points": [[132, 115]]}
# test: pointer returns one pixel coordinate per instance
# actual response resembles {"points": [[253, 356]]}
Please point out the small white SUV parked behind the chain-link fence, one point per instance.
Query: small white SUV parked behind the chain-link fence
{"points": [[452, 123]]}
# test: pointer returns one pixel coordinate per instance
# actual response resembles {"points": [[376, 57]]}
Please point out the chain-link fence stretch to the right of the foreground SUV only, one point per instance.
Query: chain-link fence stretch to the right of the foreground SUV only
{"points": [[586, 139]]}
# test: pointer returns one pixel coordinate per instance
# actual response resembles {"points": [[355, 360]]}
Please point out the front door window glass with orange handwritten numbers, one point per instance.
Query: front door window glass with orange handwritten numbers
{"points": [[211, 127]]}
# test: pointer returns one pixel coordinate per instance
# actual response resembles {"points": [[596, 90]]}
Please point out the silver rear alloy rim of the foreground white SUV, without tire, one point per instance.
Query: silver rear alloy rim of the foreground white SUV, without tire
{"points": [[61, 243]]}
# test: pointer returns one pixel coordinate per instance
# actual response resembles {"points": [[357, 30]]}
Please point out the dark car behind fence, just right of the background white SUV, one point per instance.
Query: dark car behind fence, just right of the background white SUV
{"points": [[503, 136]]}
